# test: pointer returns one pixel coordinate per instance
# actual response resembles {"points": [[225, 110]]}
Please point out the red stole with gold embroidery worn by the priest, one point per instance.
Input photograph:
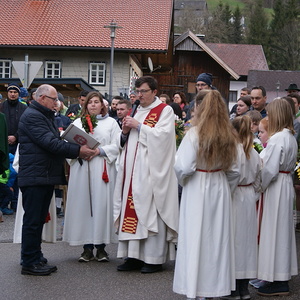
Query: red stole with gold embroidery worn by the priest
{"points": [[130, 217]]}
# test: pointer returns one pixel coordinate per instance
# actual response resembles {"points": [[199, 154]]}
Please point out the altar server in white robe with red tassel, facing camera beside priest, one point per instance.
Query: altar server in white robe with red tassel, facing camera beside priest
{"points": [[89, 209]]}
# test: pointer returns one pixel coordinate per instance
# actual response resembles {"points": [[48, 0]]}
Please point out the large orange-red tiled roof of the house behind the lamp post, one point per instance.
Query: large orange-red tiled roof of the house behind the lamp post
{"points": [[145, 25]]}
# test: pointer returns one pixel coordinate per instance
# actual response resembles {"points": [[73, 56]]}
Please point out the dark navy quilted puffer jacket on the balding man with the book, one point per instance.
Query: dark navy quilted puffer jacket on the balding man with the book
{"points": [[41, 151]]}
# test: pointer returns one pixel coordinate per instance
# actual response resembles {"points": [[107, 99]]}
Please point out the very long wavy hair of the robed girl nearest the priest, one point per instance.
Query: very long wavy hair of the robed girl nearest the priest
{"points": [[217, 143]]}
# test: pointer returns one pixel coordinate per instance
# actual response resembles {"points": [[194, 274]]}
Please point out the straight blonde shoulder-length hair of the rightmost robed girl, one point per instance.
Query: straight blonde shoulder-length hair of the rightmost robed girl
{"points": [[280, 116]]}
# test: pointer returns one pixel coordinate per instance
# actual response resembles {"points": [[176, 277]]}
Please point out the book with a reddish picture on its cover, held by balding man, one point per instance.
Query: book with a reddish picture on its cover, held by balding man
{"points": [[75, 135]]}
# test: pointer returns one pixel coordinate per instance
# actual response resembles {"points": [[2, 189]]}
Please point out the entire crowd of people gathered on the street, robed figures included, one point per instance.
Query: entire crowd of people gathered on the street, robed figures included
{"points": [[221, 205]]}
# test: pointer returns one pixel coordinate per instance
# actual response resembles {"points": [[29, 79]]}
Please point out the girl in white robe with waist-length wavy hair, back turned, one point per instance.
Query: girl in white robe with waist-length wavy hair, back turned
{"points": [[207, 167]]}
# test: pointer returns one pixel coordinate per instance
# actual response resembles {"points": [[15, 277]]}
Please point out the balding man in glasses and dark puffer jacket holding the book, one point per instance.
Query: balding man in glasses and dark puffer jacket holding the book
{"points": [[41, 159]]}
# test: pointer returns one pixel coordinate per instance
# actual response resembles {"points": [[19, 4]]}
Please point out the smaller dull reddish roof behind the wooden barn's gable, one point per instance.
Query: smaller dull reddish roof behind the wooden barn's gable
{"points": [[240, 57]]}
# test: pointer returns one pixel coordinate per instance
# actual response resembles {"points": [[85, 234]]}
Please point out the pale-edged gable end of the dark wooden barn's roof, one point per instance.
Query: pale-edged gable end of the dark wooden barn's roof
{"points": [[201, 46]]}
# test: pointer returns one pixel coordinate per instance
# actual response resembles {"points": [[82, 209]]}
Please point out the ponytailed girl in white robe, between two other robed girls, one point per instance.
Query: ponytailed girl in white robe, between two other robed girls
{"points": [[244, 211]]}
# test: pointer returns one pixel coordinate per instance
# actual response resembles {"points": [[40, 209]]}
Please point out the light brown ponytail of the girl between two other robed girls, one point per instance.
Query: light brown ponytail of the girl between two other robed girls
{"points": [[242, 125]]}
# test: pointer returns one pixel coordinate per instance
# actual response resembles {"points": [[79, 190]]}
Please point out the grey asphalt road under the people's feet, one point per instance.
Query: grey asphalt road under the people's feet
{"points": [[93, 280]]}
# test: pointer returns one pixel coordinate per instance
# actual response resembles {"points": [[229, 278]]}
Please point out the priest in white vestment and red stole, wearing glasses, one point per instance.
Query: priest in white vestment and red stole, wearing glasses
{"points": [[146, 200]]}
